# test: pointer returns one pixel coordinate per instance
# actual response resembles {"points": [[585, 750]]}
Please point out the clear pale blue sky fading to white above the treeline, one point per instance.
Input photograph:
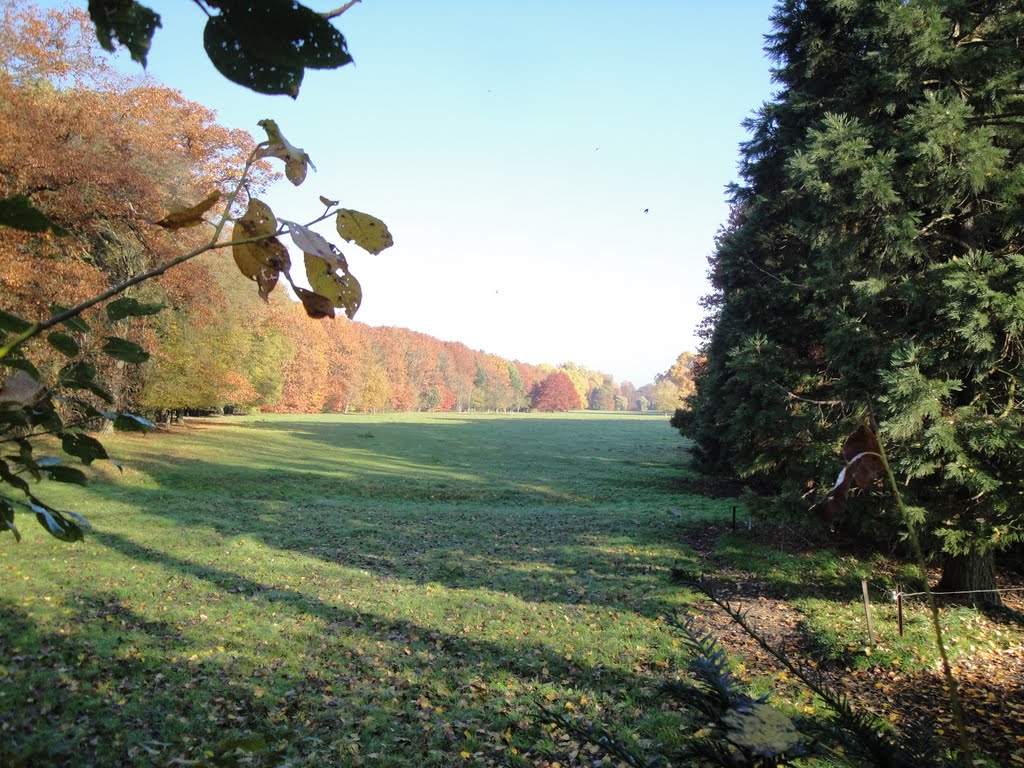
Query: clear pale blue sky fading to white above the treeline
{"points": [[513, 149]]}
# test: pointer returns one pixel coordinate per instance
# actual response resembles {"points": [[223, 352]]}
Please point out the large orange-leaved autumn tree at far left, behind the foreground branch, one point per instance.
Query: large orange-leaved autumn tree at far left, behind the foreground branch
{"points": [[105, 155]]}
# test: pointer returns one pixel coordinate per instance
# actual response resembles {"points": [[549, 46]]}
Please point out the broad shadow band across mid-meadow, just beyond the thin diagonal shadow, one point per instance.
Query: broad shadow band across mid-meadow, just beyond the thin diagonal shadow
{"points": [[556, 554]]}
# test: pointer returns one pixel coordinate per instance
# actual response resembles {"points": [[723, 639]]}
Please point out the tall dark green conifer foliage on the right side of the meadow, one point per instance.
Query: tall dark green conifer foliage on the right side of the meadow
{"points": [[873, 265]]}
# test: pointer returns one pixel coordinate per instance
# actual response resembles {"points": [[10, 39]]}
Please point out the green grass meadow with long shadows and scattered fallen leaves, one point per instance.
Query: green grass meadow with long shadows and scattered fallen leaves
{"points": [[390, 591]]}
